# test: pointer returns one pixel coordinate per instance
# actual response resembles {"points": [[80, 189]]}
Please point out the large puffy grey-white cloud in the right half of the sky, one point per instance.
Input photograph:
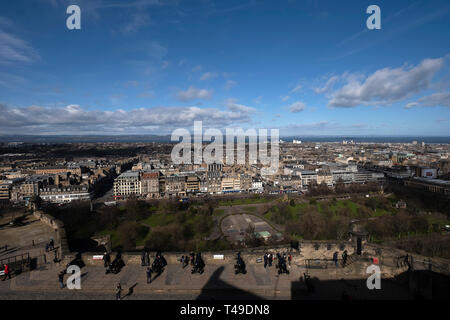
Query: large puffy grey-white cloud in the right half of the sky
{"points": [[387, 85]]}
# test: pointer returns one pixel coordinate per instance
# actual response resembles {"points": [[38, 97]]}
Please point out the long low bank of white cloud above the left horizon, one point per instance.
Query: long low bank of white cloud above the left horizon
{"points": [[73, 119]]}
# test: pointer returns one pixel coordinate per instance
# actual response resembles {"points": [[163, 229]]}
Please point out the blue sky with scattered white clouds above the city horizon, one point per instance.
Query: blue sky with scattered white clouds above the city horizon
{"points": [[305, 67]]}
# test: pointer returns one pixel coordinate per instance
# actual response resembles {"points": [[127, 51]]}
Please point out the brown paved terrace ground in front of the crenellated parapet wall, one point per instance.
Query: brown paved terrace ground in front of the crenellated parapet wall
{"points": [[217, 282]]}
